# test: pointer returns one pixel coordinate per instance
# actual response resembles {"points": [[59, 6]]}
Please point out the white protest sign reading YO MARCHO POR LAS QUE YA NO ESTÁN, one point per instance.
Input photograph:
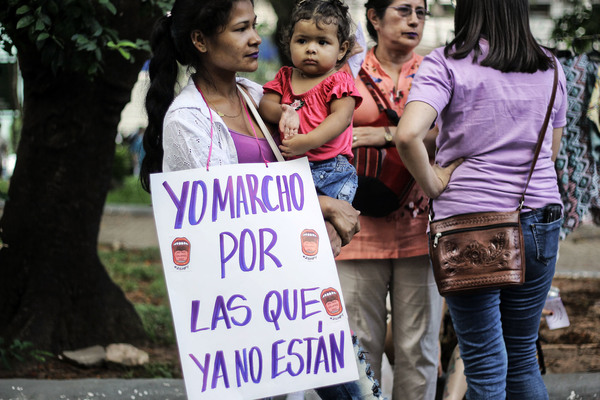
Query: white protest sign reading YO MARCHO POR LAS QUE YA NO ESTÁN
{"points": [[254, 293]]}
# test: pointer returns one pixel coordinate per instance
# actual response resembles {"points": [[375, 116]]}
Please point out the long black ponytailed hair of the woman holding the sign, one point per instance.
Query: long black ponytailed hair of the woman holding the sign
{"points": [[171, 43]]}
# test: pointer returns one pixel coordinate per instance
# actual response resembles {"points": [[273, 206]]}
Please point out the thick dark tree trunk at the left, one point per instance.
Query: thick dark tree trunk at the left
{"points": [[54, 291]]}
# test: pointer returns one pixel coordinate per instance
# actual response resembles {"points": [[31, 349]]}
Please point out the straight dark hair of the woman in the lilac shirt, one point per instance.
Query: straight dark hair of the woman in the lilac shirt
{"points": [[505, 25]]}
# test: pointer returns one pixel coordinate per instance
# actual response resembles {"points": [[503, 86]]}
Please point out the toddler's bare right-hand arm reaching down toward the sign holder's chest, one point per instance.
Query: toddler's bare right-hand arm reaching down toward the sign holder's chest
{"points": [[336, 122]]}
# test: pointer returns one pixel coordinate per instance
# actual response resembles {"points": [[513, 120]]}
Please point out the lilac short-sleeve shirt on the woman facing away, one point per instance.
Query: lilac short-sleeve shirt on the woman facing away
{"points": [[492, 120]]}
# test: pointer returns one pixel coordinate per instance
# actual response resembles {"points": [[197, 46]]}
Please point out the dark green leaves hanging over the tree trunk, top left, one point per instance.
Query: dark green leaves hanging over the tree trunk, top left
{"points": [[70, 34]]}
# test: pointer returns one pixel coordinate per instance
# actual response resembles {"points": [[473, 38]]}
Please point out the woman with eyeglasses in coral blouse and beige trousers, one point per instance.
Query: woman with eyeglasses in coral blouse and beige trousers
{"points": [[389, 255]]}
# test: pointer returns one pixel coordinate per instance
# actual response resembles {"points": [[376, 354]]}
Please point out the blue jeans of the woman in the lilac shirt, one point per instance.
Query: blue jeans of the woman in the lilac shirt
{"points": [[497, 328]]}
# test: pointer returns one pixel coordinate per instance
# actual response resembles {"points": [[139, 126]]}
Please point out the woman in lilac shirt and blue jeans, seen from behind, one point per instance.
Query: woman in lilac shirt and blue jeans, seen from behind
{"points": [[488, 91]]}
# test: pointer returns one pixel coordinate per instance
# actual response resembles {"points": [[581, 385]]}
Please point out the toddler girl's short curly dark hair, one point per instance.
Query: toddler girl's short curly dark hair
{"points": [[322, 13]]}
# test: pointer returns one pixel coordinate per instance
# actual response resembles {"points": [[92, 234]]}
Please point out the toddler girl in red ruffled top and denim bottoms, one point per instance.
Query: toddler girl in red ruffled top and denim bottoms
{"points": [[313, 102]]}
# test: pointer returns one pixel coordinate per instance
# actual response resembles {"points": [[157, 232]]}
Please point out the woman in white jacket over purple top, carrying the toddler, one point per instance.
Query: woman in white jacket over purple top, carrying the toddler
{"points": [[209, 122]]}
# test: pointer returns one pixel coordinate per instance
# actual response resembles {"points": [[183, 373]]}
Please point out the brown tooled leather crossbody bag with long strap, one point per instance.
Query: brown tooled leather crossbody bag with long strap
{"points": [[482, 250]]}
